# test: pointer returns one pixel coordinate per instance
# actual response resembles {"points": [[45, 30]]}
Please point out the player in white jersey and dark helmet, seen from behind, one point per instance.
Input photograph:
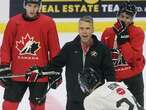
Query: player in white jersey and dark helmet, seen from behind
{"points": [[109, 96]]}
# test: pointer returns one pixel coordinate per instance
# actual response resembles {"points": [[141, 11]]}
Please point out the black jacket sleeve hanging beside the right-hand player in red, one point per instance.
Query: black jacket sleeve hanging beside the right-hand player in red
{"points": [[107, 66]]}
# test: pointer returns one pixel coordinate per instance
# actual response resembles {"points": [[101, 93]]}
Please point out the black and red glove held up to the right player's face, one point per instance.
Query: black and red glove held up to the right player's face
{"points": [[121, 32]]}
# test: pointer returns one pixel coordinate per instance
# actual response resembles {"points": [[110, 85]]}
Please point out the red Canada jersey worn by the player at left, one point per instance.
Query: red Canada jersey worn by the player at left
{"points": [[29, 43]]}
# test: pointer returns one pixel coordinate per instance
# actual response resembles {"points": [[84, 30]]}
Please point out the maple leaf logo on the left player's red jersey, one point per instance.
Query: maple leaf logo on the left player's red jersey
{"points": [[27, 45]]}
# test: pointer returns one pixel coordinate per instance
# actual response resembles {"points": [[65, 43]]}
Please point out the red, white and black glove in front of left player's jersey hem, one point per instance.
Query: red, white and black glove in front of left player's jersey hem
{"points": [[33, 74]]}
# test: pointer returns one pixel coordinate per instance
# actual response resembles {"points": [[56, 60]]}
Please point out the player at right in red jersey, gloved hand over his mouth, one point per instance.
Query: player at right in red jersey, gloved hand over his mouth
{"points": [[126, 43]]}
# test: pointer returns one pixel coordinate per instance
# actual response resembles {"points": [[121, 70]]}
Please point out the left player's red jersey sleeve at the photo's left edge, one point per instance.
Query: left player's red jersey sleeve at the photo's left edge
{"points": [[6, 47]]}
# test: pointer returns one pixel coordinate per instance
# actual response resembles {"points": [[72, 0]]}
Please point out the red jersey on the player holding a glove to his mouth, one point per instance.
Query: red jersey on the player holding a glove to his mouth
{"points": [[128, 58]]}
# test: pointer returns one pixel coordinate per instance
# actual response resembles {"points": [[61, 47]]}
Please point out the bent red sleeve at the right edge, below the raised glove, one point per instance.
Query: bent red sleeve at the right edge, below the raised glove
{"points": [[133, 50]]}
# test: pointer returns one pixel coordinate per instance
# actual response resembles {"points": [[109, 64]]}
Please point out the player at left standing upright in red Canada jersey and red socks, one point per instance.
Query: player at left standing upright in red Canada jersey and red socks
{"points": [[28, 38]]}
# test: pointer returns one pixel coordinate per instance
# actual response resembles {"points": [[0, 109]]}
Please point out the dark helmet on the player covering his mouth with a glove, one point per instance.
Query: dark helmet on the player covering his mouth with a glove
{"points": [[129, 8]]}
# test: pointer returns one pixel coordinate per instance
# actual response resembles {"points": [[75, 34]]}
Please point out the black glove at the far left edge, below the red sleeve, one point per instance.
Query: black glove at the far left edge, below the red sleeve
{"points": [[5, 70]]}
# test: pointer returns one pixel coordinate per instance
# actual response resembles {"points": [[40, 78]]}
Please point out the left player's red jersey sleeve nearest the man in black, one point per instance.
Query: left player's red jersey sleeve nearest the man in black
{"points": [[53, 40]]}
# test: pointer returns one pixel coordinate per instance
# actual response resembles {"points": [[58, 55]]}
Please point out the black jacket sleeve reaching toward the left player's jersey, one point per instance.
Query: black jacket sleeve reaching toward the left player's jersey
{"points": [[59, 61]]}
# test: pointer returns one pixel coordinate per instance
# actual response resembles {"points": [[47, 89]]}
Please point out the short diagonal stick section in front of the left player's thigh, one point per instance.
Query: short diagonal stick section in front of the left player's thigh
{"points": [[39, 100]]}
